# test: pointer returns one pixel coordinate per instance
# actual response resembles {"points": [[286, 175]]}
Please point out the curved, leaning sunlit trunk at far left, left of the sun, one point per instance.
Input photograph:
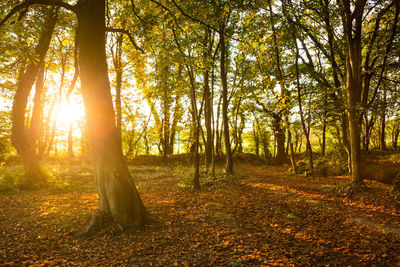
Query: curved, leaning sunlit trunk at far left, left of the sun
{"points": [[21, 137]]}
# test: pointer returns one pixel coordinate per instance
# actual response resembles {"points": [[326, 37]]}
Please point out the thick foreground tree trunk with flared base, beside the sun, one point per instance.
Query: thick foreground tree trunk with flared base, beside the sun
{"points": [[119, 198]]}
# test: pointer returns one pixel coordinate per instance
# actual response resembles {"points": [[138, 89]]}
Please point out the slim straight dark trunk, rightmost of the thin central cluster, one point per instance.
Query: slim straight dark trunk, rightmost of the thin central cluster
{"points": [[224, 79]]}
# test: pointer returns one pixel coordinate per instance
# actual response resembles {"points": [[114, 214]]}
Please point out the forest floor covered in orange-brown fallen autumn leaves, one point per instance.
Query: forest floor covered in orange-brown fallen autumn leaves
{"points": [[262, 215]]}
